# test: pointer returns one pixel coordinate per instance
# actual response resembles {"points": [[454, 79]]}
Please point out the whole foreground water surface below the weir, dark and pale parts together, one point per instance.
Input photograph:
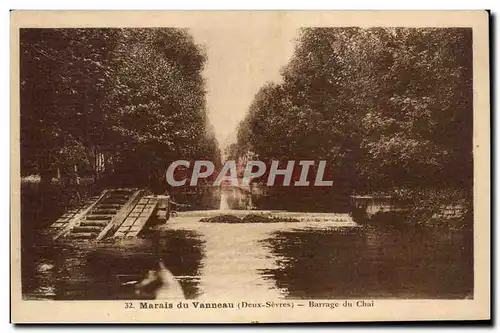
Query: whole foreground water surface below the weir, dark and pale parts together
{"points": [[260, 261]]}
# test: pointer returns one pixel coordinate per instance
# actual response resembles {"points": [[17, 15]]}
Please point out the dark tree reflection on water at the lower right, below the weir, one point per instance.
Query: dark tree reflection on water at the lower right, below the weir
{"points": [[373, 263]]}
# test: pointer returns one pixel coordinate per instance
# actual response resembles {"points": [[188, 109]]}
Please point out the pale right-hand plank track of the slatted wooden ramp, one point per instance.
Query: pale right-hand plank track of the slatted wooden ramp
{"points": [[137, 218]]}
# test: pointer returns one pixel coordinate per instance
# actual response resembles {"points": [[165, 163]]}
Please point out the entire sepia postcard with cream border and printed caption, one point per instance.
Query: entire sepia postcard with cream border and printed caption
{"points": [[250, 166]]}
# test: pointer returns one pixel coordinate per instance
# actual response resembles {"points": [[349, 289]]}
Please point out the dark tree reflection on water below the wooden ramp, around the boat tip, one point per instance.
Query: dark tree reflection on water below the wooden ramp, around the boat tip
{"points": [[97, 272]]}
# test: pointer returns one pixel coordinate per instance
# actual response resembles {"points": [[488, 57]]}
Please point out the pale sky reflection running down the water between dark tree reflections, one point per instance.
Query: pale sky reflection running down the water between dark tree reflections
{"points": [[233, 259]]}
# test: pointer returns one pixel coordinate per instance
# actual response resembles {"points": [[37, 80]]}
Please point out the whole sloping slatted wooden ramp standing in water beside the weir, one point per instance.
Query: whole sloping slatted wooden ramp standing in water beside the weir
{"points": [[116, 213]]}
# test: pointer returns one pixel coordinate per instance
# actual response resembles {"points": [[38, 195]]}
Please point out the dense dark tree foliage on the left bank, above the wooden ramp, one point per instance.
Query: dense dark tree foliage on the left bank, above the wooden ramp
{"points": [[111, 101]]}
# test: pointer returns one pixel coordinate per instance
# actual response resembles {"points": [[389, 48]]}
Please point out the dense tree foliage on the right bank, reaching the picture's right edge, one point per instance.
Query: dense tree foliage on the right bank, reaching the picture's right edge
{"points": [[387, 107]]}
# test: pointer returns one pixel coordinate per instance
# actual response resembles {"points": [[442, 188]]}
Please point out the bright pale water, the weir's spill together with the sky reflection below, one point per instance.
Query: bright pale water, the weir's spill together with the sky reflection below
{"points": [[235, 255]]}
